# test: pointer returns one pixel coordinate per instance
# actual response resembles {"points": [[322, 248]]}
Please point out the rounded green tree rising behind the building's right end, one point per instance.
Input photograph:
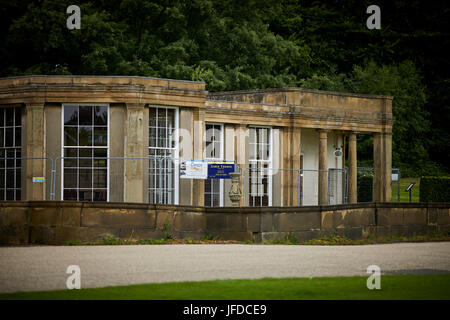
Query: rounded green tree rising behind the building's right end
{"points": [[411, 124]]}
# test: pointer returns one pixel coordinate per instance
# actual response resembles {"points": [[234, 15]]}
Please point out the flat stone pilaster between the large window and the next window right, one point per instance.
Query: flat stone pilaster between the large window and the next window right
{"points": [[134, 147]]}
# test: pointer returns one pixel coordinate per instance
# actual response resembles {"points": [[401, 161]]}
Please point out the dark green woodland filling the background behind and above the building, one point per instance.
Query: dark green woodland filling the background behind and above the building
{"points": [[234, 44]]}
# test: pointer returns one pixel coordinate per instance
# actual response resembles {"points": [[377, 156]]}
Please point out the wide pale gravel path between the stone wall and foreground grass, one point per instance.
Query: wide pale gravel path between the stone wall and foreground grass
{"points": [[44, 267]]}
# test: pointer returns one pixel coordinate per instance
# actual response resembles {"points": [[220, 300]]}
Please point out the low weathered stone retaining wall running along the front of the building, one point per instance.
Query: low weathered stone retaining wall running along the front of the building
{"points": [[54, 222]]}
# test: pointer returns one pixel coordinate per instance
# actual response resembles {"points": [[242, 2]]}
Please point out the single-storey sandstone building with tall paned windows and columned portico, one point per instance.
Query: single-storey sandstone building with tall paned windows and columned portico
{"points": [[82, 128]]}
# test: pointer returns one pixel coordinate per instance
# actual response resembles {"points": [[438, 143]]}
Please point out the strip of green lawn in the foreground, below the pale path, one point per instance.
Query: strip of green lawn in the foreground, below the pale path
{"points": [[392, 287]]}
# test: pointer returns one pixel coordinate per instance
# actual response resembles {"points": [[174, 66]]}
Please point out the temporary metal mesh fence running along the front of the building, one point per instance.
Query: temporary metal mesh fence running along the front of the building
{"points": [[158, 178]]}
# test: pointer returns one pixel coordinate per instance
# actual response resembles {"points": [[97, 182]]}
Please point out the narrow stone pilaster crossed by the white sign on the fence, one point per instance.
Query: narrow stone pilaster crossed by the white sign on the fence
{"points": [[198, 185]]}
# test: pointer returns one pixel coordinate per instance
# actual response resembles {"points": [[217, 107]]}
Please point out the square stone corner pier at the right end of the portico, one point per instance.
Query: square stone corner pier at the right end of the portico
{"points": [[382, 166]]}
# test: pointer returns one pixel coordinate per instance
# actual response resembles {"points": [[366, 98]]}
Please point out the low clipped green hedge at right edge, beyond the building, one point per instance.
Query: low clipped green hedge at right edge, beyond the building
{"points": [[435, 189]]}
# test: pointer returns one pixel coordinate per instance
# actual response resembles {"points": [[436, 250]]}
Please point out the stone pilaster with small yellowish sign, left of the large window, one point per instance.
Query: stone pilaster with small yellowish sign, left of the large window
{"points": [[35, 148]]}
